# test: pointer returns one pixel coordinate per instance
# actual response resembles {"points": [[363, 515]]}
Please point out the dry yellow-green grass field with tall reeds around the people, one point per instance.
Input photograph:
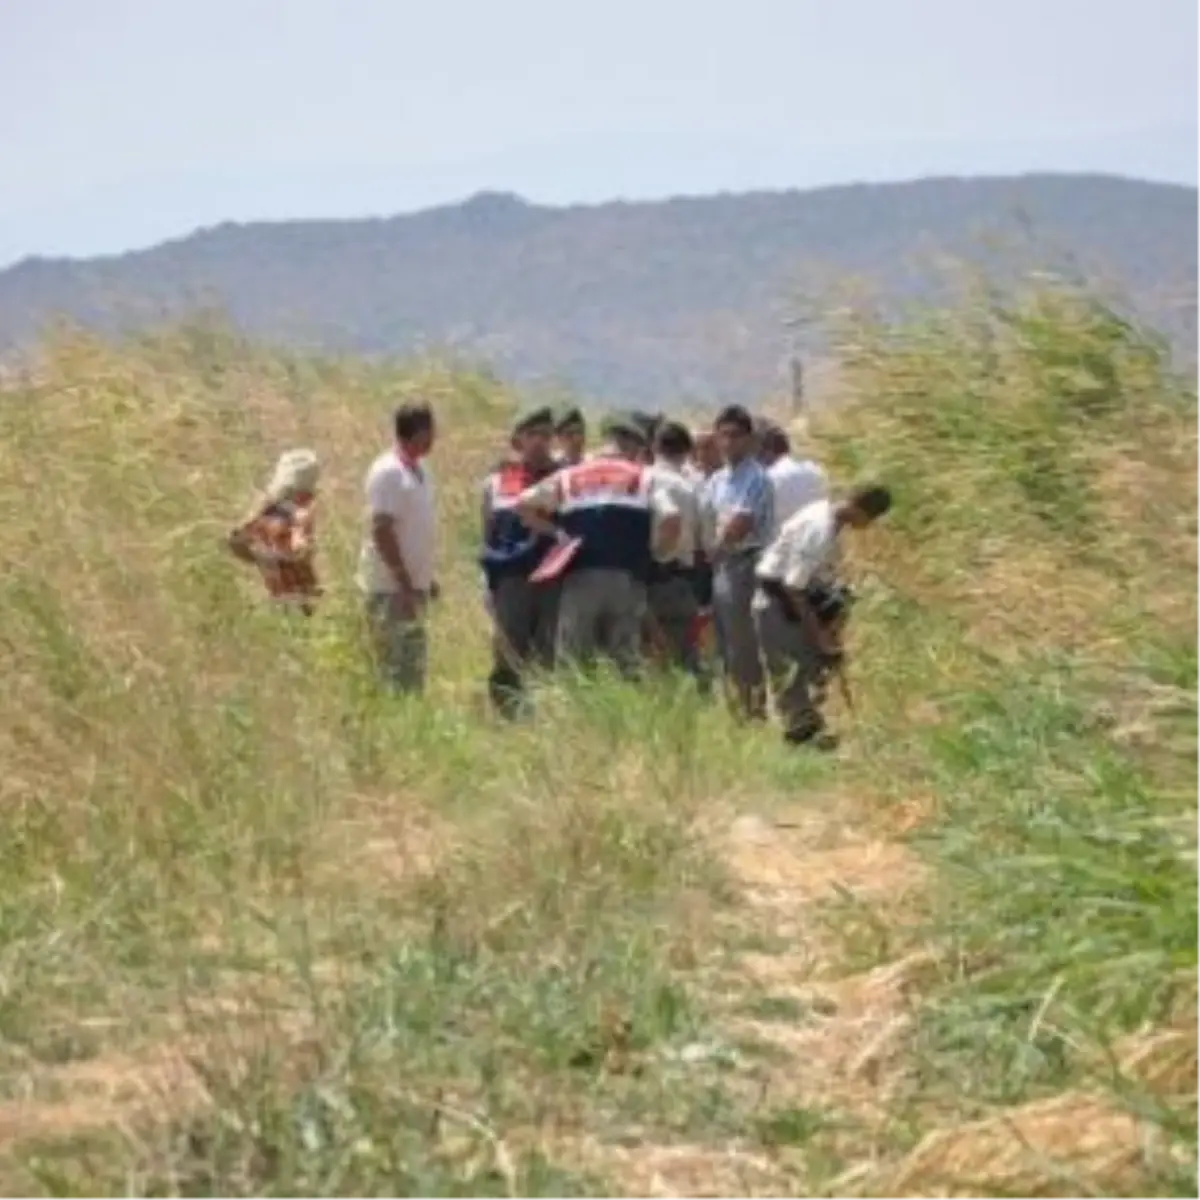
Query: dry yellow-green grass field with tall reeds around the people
{"points": [[265, 933]]}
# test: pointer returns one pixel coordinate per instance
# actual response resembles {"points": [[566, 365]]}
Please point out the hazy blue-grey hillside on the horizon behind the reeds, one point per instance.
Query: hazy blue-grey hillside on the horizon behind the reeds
{"points": [[650, 303]]}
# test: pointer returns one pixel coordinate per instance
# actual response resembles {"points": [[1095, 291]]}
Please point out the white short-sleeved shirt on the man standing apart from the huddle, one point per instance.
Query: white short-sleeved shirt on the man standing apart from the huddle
{"points": [[404, 493]]}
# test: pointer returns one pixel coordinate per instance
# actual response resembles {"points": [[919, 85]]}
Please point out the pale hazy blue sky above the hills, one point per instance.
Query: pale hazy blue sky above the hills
{"points": [[127, 123]]}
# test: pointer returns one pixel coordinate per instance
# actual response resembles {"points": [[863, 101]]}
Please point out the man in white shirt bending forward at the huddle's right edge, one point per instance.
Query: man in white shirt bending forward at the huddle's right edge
{"points": [[797, 605]]}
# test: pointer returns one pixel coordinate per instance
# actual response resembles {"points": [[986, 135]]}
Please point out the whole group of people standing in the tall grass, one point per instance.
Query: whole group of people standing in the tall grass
{"points": [[628, 550]]}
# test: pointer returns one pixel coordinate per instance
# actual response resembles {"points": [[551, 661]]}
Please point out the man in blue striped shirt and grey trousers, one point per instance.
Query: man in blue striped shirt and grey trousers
{"points": [[740, 521]]}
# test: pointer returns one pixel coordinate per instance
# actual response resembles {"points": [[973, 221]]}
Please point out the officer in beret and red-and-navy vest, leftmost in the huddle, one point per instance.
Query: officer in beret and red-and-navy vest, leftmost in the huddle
{"points": [[525, 615]]}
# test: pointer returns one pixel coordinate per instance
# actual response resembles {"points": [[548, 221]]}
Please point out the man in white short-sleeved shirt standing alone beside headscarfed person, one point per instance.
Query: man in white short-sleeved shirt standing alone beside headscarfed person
{"points": [[398, 561]]}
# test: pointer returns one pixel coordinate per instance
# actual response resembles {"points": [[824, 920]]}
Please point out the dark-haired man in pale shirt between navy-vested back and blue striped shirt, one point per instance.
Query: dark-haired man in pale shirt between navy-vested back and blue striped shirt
{"points": [[674, 592]]}
